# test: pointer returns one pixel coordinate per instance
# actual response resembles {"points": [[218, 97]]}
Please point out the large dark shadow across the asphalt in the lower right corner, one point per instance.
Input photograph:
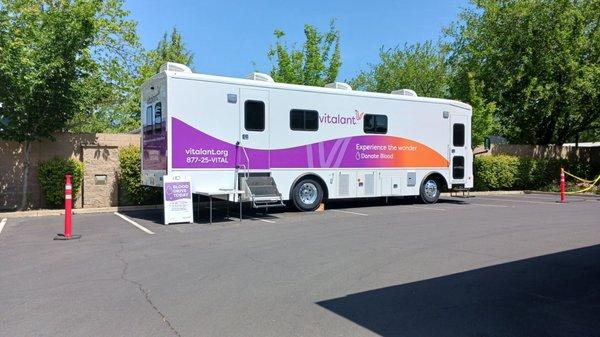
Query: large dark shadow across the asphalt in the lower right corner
{"points": [[550, 295]]}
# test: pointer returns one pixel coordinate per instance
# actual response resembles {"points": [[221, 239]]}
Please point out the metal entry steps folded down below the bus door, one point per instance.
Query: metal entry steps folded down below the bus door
{"points": [[262, 191]]}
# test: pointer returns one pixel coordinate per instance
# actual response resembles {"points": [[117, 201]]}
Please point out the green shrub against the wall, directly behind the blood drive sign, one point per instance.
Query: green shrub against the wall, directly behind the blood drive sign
{"points": [[130, 178]]}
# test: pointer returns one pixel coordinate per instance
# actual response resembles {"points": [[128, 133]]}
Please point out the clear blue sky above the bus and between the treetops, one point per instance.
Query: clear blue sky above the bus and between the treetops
{"points": [[226, 37]]}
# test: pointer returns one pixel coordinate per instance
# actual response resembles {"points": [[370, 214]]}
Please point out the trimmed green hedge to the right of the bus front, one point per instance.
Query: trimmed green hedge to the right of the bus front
{"points": [[505, 172]]}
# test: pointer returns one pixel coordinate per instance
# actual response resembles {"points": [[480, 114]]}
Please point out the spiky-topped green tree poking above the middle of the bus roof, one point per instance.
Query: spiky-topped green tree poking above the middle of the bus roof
{"points": [[316, 64]]}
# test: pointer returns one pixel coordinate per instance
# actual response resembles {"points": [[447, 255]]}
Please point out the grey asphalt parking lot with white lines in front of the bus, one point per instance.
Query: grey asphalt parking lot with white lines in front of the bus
{"points": [[500, 265]]}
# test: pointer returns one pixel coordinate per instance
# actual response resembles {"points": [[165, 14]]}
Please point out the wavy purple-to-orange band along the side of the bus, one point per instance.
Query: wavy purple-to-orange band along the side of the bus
{"points": [[193, 148]]}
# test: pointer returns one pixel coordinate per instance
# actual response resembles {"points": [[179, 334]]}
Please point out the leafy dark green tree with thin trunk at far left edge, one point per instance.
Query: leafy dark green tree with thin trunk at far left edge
{"points": [[44, 57]]}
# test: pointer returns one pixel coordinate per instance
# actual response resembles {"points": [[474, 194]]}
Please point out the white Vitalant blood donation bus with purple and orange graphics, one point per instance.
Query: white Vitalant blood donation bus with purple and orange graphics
{"points": [[281, 142]]}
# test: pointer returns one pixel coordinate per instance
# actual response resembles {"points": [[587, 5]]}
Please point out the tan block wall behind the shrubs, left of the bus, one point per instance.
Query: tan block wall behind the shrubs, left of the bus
{"points": [[99, 152]]}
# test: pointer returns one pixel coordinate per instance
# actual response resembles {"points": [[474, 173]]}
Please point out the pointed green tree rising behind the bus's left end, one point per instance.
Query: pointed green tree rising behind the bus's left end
{"points": [[171, 48]]}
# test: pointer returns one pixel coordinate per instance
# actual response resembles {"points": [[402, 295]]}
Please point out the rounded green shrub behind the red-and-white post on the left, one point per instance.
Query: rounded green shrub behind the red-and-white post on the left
{"points": [[51, 176]]}
